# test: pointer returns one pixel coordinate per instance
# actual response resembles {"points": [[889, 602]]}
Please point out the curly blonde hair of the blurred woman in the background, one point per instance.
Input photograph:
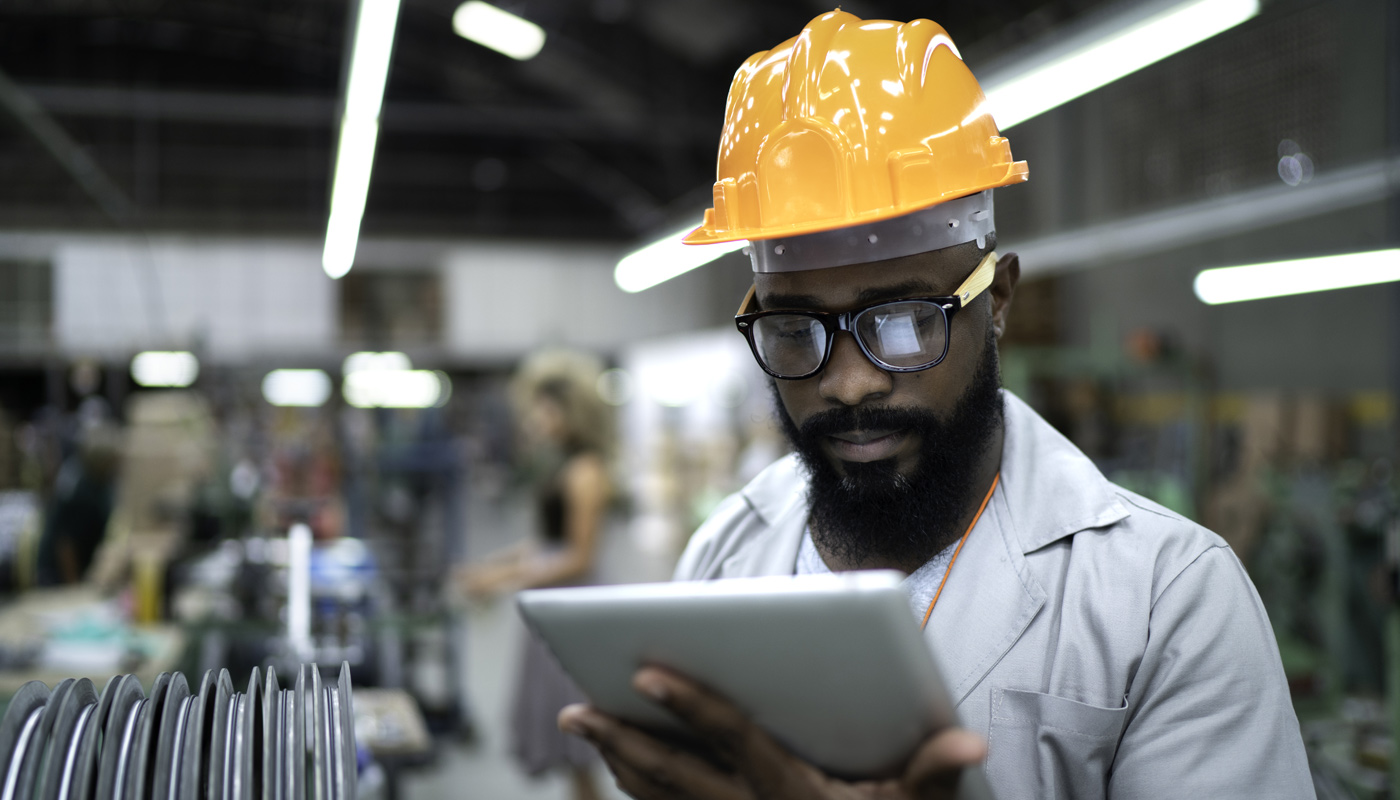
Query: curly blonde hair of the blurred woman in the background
{"points": [[570, 380]]}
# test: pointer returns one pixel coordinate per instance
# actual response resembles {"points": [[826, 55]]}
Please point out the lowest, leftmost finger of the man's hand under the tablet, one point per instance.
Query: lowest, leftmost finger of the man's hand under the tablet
{"points": [[646, 767]]}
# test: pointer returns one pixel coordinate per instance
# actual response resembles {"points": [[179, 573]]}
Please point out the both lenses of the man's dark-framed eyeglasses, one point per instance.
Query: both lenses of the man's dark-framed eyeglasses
{"points": [[906, 336]]}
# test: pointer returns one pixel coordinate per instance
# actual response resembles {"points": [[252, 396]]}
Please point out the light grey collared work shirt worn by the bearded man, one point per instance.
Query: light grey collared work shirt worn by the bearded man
{"points": [[1105, 647]]}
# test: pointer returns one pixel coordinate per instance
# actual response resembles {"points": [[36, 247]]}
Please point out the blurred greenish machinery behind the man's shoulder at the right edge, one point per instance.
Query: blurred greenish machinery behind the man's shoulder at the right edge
{"points": [[1303, 485]]}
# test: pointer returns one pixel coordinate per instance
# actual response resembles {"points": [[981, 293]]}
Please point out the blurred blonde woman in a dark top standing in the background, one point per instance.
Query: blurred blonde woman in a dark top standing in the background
{"points": [[568, 436]]}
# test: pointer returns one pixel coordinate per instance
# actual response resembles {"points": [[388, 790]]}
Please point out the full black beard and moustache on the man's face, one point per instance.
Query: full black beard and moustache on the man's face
{"points": [[874, 515]]}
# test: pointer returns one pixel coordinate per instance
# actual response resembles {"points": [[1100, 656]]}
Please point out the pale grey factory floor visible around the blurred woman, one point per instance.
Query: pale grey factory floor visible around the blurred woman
{"points": [[484, 768]]}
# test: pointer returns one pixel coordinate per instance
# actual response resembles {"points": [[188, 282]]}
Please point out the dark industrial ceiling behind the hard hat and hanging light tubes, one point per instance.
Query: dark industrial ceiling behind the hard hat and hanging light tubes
{"points": [[219, 116]]}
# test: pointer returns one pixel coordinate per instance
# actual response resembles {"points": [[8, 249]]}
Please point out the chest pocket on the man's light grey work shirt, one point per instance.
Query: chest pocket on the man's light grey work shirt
{"points": [[1046, 747]]}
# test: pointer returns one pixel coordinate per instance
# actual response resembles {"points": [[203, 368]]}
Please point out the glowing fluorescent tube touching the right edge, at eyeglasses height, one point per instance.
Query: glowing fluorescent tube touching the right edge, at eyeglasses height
{"points": [[1300, 277]]}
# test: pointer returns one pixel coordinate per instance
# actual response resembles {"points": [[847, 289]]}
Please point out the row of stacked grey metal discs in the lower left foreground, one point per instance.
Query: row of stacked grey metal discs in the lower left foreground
{"points": [[215, 743]]}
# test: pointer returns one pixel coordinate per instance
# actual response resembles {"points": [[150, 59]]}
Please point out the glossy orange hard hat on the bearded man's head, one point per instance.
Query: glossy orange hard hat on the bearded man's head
{"points": [[852, 123]]}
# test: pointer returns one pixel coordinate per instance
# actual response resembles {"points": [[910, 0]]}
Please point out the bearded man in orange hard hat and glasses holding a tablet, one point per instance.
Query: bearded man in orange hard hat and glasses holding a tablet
{"points": [[1097, 645]]}
